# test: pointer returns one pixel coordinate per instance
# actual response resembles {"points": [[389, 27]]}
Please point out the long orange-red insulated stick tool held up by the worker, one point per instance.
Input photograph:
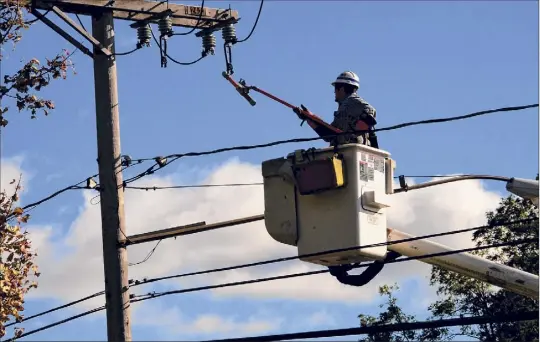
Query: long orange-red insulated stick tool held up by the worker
{"points": [[323, 128]]}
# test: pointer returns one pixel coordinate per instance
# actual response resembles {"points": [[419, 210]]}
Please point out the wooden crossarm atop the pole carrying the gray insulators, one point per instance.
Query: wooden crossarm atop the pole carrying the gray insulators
{"points": [[146, 11]]}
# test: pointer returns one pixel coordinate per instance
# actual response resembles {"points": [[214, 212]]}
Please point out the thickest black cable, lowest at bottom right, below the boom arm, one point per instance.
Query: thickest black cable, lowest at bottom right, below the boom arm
{"points": [[386, 328]]}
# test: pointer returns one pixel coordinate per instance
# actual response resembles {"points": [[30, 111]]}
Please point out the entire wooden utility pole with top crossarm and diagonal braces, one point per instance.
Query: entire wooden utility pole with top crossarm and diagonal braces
{"points": [[113, 223]]}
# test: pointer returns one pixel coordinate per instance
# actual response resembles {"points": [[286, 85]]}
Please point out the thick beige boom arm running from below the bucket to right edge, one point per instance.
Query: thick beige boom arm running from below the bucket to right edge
{"points": [[470, 265]]}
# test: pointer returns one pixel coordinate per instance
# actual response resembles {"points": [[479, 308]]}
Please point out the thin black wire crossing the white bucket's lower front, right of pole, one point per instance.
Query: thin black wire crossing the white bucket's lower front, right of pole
{"points": [[298, 257]]}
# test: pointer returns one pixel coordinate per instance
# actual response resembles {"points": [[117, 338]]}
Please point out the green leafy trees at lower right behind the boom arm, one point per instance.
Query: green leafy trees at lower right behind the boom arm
{"points": [[461, 295]]}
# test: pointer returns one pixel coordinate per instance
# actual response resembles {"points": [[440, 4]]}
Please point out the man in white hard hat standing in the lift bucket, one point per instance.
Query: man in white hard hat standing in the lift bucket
{"points": [[353, 113]]}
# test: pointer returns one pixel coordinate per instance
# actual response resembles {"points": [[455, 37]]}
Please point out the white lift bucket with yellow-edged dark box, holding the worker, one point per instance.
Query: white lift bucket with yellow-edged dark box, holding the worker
{"points": [[327, 199]]}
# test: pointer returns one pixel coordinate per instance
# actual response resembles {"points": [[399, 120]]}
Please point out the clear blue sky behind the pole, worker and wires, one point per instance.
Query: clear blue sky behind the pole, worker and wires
{"points": [[416, 60]]}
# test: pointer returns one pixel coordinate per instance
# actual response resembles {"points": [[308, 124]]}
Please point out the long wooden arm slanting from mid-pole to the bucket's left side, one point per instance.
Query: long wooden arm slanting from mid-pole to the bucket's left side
{"points": [[193, 228]]}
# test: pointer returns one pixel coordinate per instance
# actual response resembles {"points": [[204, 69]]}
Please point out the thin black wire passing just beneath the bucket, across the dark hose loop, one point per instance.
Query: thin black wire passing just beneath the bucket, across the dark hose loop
{"points": [[259, 280]]}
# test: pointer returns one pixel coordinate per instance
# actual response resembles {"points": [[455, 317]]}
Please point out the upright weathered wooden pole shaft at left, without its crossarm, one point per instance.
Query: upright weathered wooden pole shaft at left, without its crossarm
{"points": [[113, 225]]}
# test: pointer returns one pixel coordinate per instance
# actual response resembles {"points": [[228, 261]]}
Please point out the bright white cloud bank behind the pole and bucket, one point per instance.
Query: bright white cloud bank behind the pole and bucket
{"points": [[77, 257]]}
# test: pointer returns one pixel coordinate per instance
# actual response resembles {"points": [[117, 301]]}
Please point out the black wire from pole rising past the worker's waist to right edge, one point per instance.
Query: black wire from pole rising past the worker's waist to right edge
{"points": [[175, 157]]}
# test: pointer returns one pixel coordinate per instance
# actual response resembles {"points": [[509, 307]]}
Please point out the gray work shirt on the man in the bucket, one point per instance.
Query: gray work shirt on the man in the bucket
{"points": [[350, 110]]}
